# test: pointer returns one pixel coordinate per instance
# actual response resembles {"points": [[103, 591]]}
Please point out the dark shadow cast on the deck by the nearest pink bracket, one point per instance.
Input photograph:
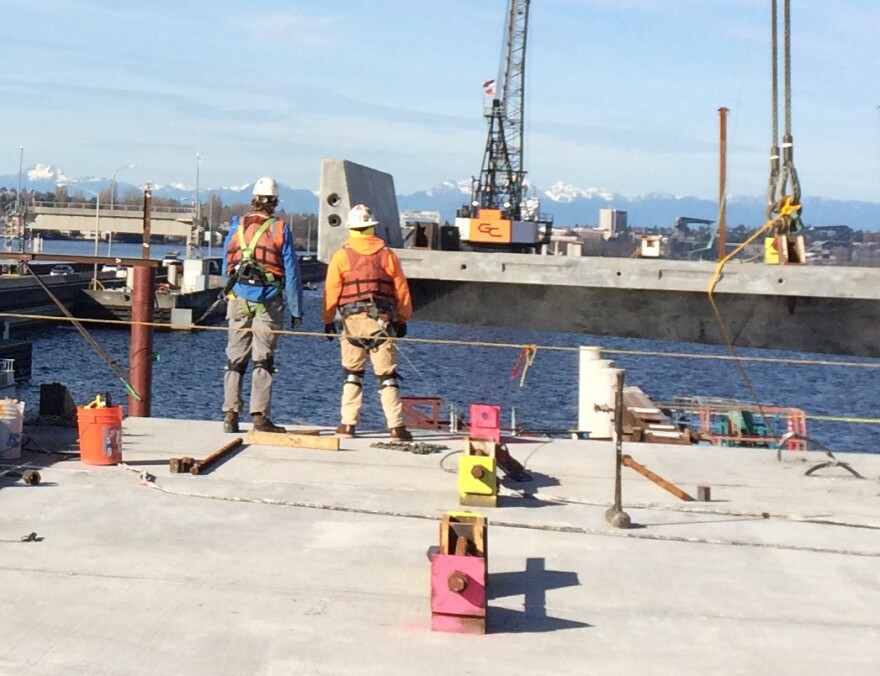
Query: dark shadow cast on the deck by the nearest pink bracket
{"points": [[533, 583]]}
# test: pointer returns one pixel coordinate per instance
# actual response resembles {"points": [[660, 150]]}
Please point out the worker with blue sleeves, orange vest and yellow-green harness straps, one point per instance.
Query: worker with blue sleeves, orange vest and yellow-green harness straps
{"points": [[260, 262]]}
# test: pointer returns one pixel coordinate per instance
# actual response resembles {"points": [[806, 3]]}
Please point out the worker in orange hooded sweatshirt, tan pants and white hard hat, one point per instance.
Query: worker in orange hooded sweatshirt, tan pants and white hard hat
{"points": [[365, 283]]}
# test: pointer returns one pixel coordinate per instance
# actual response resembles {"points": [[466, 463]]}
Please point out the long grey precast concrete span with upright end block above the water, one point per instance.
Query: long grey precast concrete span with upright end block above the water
{"points": [[825, 309]]}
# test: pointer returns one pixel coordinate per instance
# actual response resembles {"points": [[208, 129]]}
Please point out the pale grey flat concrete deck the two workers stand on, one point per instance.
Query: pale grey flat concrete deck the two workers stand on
{"points": [[290, 561]]}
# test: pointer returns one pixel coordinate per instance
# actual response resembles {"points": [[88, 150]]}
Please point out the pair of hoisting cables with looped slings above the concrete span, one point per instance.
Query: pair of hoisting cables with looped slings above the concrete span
{"points": [[783, 208]]}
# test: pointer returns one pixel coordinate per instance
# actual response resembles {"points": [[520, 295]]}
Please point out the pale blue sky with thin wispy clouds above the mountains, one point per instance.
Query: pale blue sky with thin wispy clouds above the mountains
{"points": [[620, 94]]}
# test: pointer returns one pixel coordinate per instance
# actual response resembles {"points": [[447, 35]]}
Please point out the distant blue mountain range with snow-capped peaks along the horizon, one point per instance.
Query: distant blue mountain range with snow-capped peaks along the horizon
{"points": [[568, 204]]}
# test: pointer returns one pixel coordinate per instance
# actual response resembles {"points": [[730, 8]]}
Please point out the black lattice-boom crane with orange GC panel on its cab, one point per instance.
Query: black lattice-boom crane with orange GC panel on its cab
{"points": [[499, 218]]}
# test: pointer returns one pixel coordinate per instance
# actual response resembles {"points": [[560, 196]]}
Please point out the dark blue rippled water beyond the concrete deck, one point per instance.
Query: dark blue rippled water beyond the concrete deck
{"points": [[187, 378]]}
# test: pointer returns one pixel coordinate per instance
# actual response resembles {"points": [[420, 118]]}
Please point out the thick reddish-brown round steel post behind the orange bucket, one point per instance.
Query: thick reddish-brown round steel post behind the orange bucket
{"points": [[141, 354]]}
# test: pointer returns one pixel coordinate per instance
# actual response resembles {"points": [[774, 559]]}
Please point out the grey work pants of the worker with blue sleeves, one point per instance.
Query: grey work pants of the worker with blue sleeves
{"points": [[257, 345]]}
